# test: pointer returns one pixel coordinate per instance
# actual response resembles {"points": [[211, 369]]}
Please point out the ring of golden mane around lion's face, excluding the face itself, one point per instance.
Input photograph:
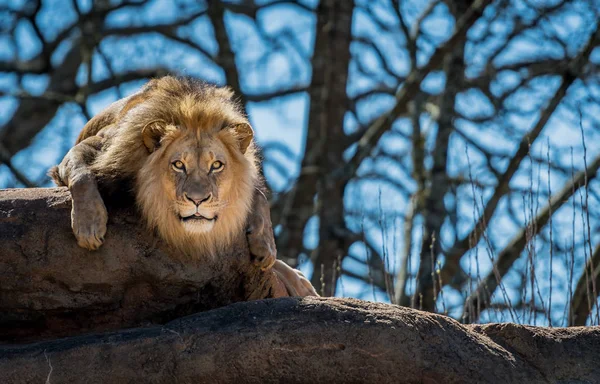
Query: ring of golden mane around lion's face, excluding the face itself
{"points": [[155, 194]]}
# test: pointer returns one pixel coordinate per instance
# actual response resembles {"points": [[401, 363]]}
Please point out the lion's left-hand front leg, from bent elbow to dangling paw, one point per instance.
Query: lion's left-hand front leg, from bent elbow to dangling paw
{"points": [[88, 214]]}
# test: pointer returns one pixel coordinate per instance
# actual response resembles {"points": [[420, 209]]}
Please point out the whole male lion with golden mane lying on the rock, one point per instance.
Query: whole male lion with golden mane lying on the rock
{"points": [[187, 152]]}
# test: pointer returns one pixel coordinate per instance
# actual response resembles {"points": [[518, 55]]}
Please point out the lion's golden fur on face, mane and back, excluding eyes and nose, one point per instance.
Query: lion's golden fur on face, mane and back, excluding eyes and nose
{"points": [[177, 118]]}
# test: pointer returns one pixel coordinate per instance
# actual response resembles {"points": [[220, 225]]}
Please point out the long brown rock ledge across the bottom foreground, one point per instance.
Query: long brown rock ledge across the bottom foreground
{"points": [[312, 340]]}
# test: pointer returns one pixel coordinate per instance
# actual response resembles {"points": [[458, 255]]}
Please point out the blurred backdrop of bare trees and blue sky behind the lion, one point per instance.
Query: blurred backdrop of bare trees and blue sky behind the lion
{"points": [[434, 154]]}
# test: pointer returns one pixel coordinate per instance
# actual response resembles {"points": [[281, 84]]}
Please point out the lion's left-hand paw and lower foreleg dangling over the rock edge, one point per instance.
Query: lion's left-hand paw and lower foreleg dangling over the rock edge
{"points": [[88, 219]]}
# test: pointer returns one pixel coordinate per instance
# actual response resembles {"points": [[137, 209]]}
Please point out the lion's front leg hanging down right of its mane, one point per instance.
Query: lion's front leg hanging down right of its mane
{"points": [[261, 240]]}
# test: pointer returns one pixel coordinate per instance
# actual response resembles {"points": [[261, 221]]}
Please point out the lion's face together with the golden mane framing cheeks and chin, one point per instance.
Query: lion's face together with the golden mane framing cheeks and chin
{"points": [[196, 188]]}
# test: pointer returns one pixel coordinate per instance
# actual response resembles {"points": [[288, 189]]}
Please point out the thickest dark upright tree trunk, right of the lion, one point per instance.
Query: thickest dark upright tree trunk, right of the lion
{"points": [[328, 107]]}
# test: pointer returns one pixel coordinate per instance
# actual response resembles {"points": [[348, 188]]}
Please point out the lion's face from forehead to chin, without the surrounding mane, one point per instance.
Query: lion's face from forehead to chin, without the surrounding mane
{"points": [[201, 175]]}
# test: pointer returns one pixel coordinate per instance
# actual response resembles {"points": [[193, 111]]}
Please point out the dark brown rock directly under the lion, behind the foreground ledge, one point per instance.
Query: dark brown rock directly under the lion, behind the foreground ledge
{"points": [[51, 287]]}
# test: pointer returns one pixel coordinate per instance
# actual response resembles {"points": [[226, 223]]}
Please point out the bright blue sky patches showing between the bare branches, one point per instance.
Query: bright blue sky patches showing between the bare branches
{"points": [[281, 124]]}
